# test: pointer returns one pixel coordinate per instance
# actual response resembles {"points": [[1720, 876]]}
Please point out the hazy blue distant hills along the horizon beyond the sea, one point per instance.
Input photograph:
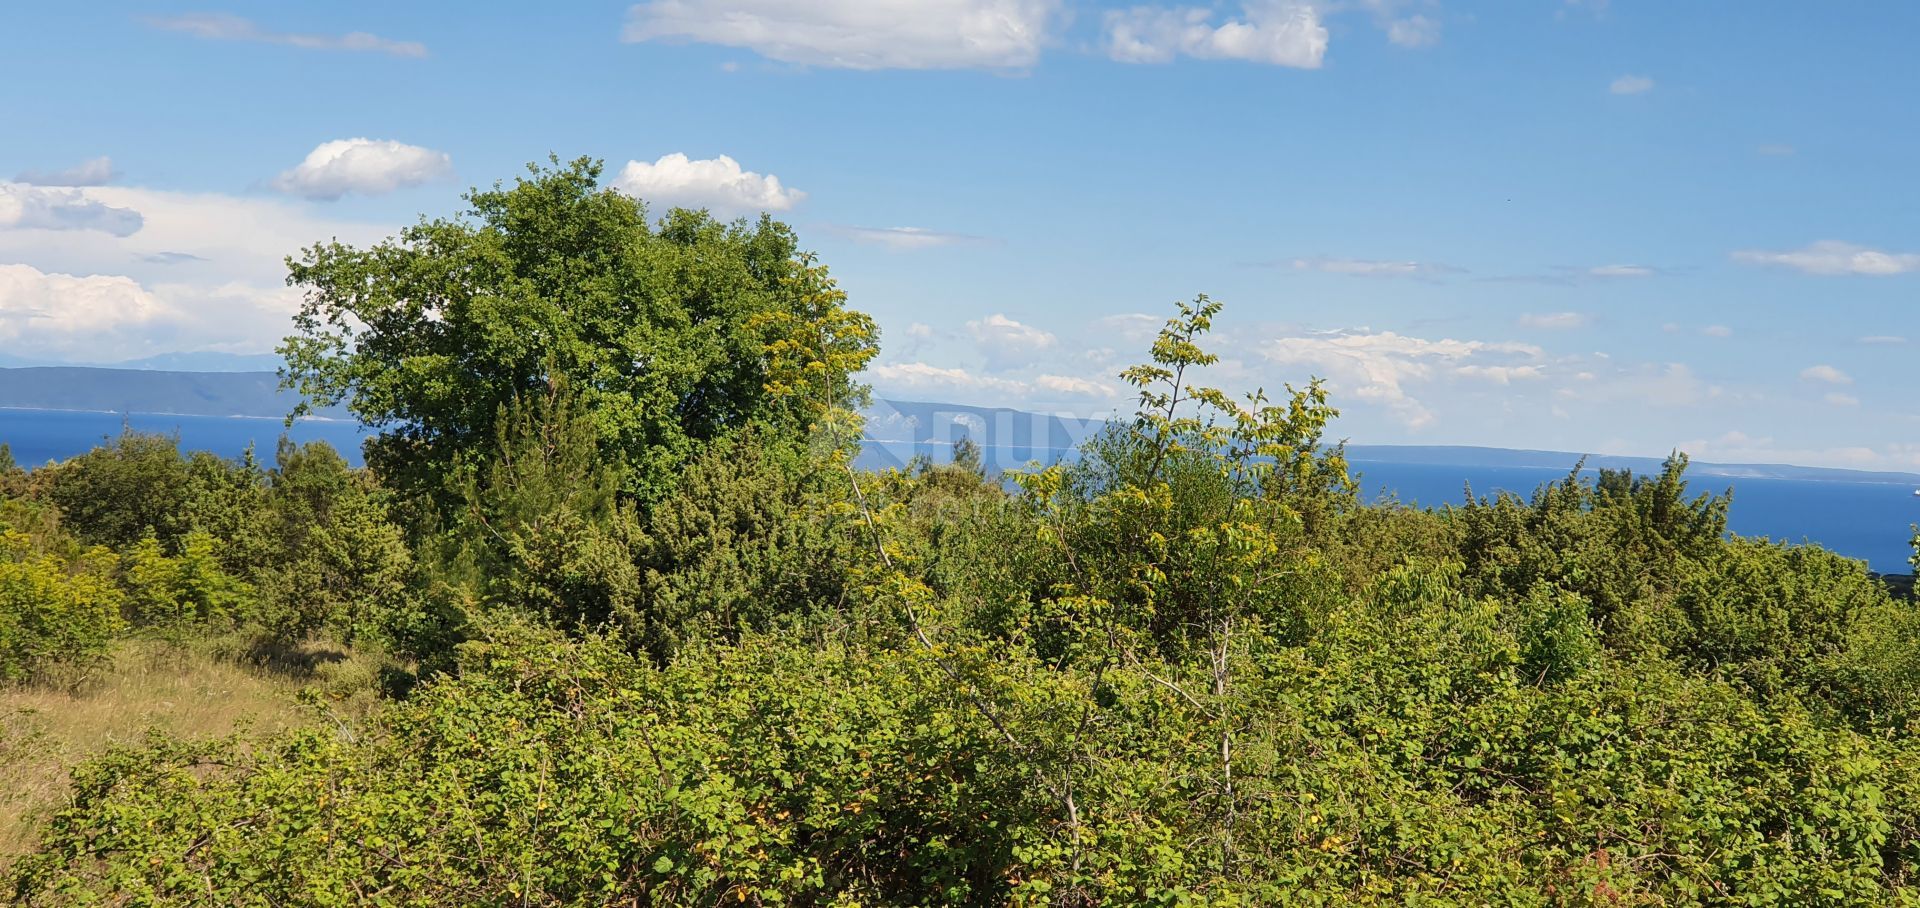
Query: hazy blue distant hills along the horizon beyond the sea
{"points": [[896, 429]]}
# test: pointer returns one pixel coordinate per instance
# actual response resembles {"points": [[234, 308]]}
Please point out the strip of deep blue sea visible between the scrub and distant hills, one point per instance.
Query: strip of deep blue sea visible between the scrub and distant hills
{"points": [[1867, 521]]}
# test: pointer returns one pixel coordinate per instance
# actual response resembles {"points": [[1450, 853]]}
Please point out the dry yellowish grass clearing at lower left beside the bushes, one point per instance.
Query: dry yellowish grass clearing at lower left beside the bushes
{"points": [[185, 690]]}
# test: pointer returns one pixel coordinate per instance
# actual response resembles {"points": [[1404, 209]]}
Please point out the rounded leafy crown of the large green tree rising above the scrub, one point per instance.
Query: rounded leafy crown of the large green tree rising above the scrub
{"points": [[661, 327]]}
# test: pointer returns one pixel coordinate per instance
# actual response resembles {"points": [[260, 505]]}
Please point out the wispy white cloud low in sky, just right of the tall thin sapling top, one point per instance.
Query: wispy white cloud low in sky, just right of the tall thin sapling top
{"points": [[1378, 368]]}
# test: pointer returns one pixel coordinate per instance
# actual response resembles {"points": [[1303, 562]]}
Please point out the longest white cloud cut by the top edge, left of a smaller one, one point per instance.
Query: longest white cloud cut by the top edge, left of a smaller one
{"points": [[859, 34]]}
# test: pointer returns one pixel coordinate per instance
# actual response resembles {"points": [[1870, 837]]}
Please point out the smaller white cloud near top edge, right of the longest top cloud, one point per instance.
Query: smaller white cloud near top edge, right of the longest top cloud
{"points": [[1270, 32]]}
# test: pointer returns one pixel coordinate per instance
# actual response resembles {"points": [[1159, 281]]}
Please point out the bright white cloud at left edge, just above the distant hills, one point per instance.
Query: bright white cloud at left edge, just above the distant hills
{"points": [[59, 316]]}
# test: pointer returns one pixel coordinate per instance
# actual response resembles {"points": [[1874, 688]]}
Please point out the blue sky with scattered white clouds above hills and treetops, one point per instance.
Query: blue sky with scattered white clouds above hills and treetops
{"points": [[1577, 226]]}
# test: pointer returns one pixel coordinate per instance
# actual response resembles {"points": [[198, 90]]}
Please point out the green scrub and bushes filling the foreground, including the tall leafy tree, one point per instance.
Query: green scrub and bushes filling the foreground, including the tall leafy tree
{"points": [[631, 631]]}
